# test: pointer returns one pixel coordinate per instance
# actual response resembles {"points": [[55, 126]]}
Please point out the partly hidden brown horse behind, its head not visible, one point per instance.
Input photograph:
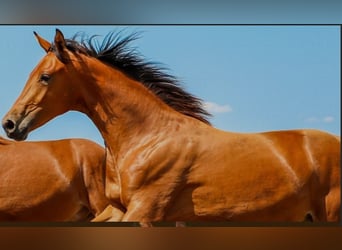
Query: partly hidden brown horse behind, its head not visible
{"points": [[52, 181]]}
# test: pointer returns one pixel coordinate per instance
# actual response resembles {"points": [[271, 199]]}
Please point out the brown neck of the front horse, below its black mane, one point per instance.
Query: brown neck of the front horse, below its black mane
{"points": [[122, 109]]}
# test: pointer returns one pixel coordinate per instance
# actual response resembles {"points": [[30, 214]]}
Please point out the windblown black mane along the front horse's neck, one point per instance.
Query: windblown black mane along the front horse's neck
{"points": [[115, 52]]}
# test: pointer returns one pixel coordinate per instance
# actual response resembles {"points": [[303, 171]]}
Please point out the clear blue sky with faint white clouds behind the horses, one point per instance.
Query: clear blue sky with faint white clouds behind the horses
{"points": [[252, 78]]}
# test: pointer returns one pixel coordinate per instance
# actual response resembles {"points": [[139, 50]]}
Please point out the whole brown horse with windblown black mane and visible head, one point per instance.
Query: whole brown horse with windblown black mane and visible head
{"points": [[168, 162]]}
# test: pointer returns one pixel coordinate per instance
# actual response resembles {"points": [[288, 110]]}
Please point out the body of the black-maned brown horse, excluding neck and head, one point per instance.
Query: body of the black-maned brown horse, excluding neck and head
{"points": [[219, 176]]}
